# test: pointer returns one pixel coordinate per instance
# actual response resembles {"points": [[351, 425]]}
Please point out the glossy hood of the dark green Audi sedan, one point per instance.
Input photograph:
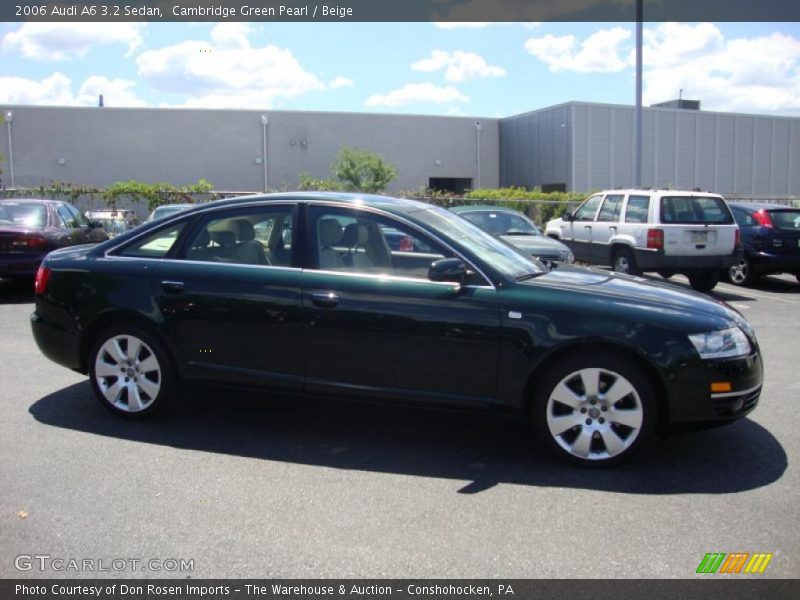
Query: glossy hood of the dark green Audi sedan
{"points": [[638, 298]]}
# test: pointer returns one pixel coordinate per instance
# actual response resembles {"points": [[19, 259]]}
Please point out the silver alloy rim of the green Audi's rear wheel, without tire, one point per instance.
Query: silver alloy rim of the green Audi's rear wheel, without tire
{"points": [[127, 373]]}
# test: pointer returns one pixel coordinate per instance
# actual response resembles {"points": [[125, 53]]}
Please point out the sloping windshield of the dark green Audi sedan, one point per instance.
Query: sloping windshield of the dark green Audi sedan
{"points": [[503, 257]]}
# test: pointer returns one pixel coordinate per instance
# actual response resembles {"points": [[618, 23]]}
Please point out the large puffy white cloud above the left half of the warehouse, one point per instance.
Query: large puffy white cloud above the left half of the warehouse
{"points": [[231, 73]]}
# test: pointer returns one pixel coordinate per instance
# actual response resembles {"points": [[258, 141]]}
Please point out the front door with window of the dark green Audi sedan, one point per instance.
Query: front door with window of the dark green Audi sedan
{"points": [[377, 325]]}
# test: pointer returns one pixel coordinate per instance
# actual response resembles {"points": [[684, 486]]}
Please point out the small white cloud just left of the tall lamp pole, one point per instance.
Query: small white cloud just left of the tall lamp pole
{"points": [[599, 53]]}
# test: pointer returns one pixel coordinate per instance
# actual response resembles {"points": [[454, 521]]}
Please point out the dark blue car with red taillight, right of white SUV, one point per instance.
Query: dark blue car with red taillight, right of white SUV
{"points": [[771, 241]]}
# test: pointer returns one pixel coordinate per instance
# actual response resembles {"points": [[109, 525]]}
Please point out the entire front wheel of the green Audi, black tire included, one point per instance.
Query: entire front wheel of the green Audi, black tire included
{"points": [[591, 420]]}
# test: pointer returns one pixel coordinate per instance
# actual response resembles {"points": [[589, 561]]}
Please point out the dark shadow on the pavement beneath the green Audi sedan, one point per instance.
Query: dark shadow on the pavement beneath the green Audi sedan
{"points": [[476, 451]]}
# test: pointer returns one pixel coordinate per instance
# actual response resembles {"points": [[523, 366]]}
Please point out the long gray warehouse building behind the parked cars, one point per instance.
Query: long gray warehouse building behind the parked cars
{"points": [[576, 146]]}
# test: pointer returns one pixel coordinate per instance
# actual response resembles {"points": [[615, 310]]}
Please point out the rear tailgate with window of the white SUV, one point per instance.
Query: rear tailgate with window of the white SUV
{"points": [[697, 225]]}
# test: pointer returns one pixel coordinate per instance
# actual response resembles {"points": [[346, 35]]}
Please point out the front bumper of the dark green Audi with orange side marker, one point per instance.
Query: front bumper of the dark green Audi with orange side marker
{"points": [[694, 403]]}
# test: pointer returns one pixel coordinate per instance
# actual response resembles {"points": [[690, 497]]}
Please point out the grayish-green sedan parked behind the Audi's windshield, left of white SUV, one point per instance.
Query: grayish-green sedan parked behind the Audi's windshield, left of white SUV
{"points": [[517, 229]]}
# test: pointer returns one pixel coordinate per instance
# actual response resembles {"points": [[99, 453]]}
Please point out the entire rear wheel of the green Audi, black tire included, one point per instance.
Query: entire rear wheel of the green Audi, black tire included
{"points": [[140, 389]]}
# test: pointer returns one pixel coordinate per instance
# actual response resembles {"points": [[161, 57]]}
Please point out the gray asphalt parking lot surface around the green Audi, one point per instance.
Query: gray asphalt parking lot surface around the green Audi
{"points": [[283, 488]]}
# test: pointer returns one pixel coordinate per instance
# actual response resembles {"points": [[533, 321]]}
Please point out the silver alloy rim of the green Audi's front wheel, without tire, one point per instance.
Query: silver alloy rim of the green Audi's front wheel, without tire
{"points": [[594, 414]]}
